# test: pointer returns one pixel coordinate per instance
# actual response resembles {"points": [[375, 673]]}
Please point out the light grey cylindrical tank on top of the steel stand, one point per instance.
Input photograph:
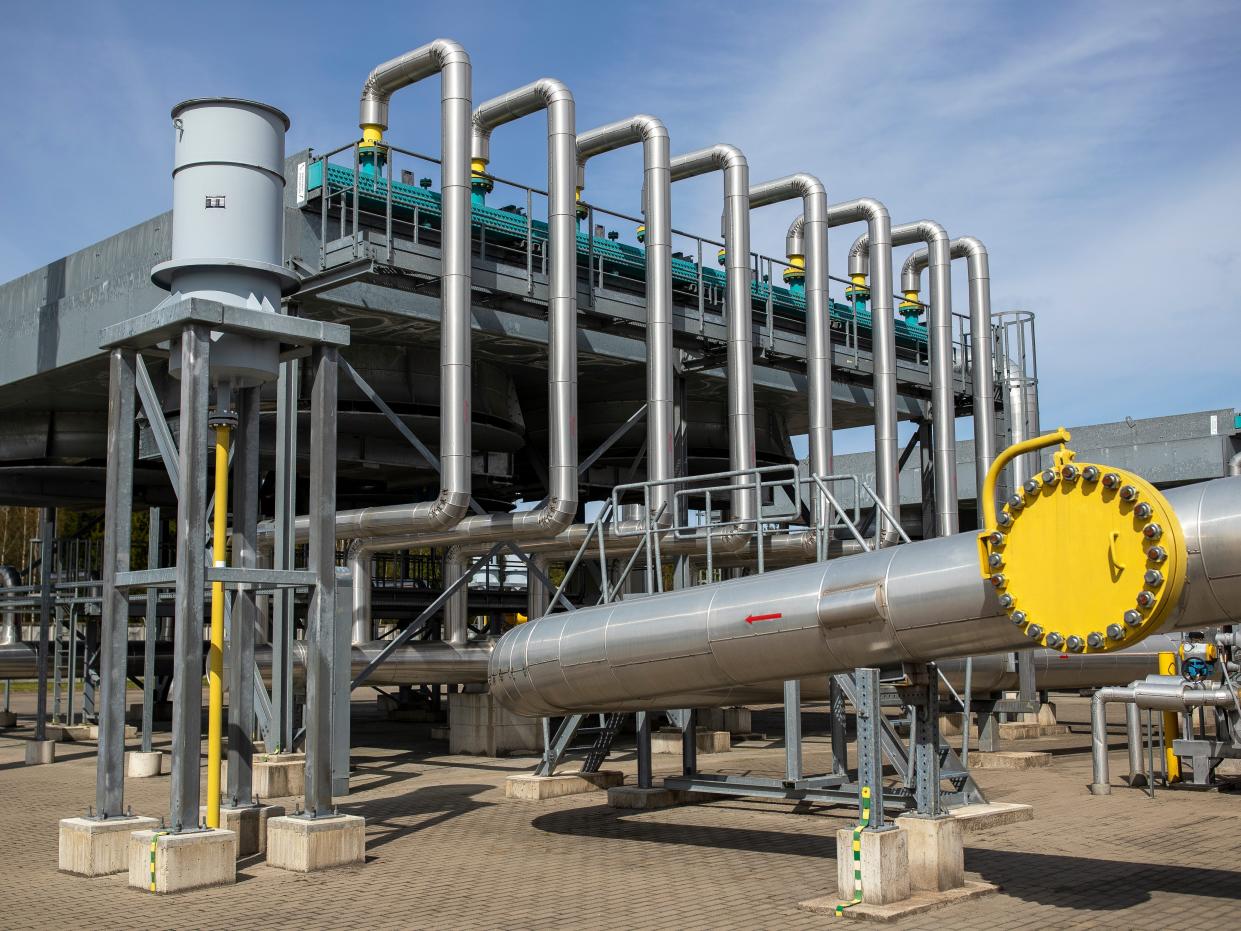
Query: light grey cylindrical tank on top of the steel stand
{"points": [[229, 224]]}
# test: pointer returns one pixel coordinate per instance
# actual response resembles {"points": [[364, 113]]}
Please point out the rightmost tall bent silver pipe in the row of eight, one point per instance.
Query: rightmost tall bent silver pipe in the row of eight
{"points": [[983, 367]]}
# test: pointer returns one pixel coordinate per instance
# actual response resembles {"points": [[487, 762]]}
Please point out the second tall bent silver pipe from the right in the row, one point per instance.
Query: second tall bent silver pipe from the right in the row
{"points": [[943, 405]]}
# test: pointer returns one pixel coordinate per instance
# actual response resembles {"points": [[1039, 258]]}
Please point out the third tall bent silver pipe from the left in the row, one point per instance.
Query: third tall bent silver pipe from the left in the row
{"points": [[657, 209]]}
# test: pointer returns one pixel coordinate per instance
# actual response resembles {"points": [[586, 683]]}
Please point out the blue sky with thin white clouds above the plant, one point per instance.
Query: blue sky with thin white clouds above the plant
{"points": [[1094, 147]]}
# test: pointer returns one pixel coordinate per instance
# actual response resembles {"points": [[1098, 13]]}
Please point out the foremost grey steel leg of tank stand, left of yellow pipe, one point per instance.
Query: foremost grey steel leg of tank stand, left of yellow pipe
{"points": [[192, 542]]}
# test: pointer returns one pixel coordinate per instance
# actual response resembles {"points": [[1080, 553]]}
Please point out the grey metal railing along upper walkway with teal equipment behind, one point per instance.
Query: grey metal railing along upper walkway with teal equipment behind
{"points": [[394, 204]]}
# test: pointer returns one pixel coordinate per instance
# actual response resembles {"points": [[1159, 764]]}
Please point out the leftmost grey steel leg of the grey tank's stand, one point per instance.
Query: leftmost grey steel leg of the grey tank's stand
{"points": [[110, 795]]}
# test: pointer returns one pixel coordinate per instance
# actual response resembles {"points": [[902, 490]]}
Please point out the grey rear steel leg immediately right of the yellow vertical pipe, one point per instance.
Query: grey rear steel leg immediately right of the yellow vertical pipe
{"points": [[245, 611]]}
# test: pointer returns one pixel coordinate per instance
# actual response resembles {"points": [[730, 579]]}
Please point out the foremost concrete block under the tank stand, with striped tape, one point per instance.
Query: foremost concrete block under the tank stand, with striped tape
{"points": [[193, 860]]}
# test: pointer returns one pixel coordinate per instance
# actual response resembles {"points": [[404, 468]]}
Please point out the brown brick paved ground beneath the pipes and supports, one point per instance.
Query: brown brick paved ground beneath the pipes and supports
{"points": [[447, 851]]}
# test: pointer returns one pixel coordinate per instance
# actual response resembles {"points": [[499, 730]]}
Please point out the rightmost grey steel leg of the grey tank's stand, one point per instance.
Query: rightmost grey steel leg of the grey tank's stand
{"points": [[322, 615]]}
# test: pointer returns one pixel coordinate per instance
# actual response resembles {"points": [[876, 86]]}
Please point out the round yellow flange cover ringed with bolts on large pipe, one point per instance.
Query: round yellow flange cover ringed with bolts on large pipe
{"points": [[1086, 558]]}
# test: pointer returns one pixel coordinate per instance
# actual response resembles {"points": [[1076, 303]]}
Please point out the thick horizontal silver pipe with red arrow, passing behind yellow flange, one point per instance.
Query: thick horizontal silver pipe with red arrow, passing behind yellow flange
{"points": [[912, 604]]}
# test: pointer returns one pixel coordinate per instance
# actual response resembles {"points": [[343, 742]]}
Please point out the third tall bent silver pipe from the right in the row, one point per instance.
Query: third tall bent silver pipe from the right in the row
{"points": [[879, 230]]}
